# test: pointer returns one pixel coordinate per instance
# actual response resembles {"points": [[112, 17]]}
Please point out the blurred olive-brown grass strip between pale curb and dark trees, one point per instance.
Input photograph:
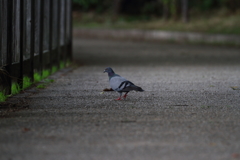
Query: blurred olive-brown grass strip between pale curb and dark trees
{"points": [[216, 23]]}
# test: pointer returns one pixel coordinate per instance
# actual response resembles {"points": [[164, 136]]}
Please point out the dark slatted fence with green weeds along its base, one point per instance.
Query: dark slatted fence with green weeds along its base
{"points": [[34, 35]]}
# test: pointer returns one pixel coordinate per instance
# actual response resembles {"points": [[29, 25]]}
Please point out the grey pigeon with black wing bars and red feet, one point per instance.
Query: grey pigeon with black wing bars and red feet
{"points": [[121, 84]]}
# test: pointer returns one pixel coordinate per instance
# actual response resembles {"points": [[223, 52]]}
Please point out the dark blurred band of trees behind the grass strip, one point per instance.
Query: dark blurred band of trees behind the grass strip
{"points": [[174, 9]]}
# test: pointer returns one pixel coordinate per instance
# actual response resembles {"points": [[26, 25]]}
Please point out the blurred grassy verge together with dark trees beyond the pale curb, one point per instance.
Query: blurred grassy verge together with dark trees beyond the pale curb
{"points": [[204, 16]]}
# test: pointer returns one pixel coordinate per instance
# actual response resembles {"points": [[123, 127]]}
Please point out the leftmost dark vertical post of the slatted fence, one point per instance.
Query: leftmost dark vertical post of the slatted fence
{"points": [[9, 45]]}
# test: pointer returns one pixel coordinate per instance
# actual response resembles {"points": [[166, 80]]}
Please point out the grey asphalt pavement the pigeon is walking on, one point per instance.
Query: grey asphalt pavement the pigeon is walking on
{"points": [[189, 109]]}
